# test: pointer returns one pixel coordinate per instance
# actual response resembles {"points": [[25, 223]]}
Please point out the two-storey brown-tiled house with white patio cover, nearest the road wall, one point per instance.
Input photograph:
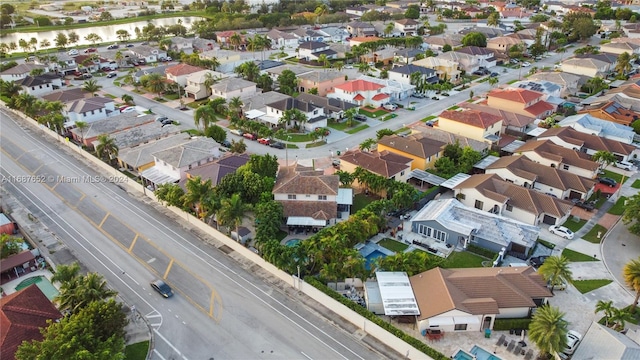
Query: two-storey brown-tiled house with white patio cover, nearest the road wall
{"points": [[310, 198]]}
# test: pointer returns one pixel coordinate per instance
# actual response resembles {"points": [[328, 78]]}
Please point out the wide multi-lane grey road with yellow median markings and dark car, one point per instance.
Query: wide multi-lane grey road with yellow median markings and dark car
{"points": [[220, 310]]}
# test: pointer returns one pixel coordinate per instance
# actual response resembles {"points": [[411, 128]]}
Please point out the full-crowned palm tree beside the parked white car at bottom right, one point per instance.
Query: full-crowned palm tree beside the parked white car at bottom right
{"points": [[548, 329]]}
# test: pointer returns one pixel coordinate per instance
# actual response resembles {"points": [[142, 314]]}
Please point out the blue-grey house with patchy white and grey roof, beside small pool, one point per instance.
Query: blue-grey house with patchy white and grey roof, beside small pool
{"points": [[453, 224]]}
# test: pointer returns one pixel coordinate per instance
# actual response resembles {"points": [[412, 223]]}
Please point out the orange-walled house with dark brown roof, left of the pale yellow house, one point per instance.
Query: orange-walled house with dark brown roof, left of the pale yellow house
{"points": [[422, 150]]}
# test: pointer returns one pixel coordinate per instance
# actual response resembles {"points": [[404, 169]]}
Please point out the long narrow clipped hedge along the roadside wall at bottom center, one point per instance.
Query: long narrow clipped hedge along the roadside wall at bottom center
{"points": [[375, 319]]}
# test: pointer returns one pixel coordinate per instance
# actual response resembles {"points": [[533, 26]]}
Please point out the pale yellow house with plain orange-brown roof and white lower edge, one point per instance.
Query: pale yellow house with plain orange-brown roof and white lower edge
{"points": [[473, 124]]}
